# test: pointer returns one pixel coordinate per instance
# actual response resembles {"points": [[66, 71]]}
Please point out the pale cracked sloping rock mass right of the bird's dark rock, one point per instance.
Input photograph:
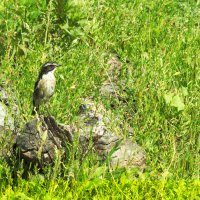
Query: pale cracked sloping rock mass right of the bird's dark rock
{"points": [[118, 151]]}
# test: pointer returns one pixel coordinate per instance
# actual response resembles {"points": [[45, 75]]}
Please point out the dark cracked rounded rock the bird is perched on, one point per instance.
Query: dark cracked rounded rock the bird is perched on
{"points": [[43, 140]]}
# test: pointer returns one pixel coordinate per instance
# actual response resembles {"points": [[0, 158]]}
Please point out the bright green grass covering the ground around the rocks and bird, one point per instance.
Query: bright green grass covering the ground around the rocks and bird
{"points": [[161, 40]]}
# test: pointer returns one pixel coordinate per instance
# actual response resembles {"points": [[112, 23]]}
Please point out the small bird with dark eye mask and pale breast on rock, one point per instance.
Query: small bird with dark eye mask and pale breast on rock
{"points": [[45, 85]]}
